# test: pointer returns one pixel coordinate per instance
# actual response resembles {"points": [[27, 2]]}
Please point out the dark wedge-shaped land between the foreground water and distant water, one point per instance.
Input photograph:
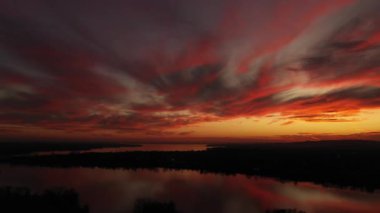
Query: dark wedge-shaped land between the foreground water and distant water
{"points": [[346, 164]]}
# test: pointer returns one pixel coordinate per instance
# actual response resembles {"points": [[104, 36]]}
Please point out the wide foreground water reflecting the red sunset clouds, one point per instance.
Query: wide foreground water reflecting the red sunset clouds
{"points": [[116, 191]]}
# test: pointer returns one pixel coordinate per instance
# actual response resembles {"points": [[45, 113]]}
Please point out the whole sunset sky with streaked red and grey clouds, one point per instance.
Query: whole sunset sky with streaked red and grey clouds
{"points": [[210, 70]]}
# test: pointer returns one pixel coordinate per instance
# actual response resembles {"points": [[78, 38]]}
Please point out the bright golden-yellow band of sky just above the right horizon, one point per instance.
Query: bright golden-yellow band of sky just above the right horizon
{"points": [[365, 121]]}
